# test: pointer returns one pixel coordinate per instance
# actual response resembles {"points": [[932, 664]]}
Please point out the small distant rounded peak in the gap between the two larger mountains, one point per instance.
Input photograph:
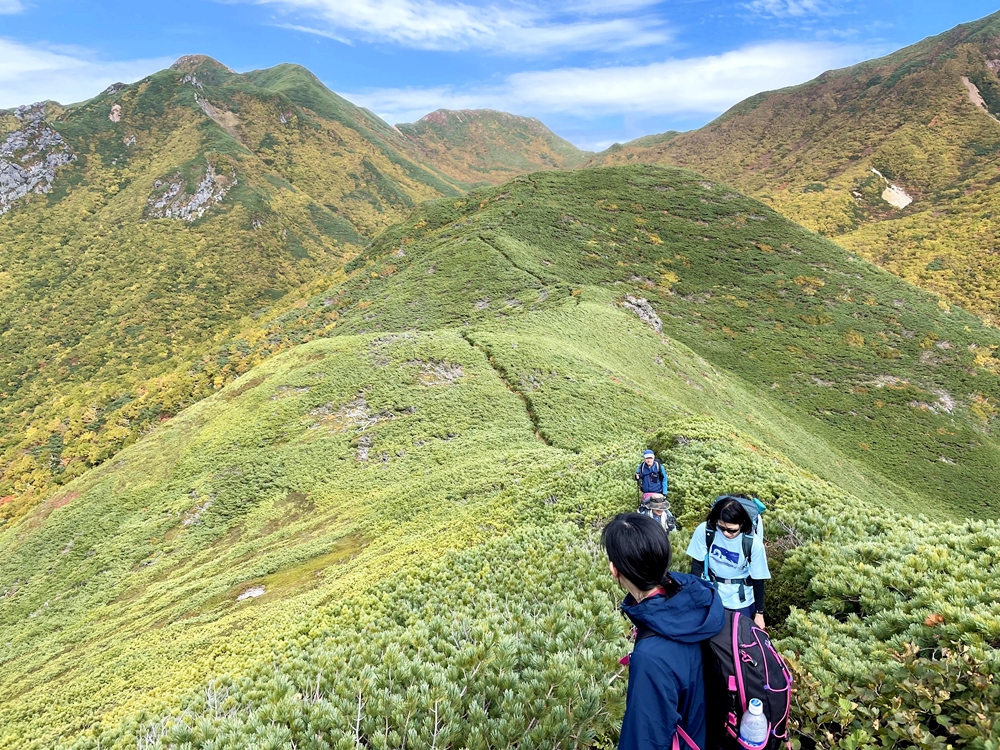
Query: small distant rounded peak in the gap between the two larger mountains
{"points": [[483, 145]]}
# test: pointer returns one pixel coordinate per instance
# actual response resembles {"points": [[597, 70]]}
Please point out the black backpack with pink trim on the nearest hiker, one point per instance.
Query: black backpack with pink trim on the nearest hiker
{"points": [[740, 663]]}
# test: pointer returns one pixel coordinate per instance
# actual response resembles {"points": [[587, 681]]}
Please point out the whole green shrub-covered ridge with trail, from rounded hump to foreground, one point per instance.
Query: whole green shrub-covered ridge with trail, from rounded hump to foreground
{"points": [[409, 501]]}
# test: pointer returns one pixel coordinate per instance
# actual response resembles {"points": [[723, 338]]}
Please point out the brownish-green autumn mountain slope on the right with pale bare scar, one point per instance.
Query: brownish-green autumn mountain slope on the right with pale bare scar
{"points": [[925, 118]]}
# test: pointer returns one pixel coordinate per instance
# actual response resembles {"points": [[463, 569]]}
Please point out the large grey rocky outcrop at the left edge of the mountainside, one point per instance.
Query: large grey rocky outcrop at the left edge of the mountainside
{"points": [[29, 157]]}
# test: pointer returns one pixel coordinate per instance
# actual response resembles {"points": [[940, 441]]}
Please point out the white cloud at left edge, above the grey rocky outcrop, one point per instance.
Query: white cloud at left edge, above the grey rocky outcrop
{"points": [[33, 73]]}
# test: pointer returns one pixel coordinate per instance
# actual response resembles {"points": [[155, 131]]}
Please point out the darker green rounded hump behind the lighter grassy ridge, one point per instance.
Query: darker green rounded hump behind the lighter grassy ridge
{"points": [[864, 362]]}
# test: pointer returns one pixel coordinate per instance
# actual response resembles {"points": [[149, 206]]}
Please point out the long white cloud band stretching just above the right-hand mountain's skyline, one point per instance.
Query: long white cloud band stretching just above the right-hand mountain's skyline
{"points": [[695, 86]]}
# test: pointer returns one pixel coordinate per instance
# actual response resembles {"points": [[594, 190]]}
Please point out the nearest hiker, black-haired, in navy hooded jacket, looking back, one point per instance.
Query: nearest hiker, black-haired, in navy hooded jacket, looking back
{"points": [[672, 613]]}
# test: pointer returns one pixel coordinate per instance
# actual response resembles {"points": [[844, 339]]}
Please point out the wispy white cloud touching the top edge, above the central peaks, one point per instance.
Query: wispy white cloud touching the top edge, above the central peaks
{"points": [[505, 27]]}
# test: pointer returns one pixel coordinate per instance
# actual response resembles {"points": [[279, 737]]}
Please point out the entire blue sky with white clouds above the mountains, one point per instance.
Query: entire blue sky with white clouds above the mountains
{"points": [[595, 71]]}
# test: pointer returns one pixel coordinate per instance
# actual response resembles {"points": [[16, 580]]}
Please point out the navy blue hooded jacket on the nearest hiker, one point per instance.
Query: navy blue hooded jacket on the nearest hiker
{"points": [[665, 682]]}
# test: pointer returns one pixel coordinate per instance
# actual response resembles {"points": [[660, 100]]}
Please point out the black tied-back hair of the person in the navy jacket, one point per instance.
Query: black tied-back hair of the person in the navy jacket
{"points": [[640, 550]]}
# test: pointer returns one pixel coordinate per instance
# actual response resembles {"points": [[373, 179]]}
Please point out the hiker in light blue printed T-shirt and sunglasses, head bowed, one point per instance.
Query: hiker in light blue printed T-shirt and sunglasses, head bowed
{"points": [[728, 550]]}
